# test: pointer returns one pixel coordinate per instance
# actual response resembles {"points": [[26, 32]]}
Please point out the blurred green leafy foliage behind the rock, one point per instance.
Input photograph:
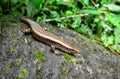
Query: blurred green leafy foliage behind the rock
{"points": [[101, 22]]}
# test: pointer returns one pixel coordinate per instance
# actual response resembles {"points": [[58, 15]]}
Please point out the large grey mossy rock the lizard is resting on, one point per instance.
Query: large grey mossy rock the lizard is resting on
{"points": [[22, 56]]}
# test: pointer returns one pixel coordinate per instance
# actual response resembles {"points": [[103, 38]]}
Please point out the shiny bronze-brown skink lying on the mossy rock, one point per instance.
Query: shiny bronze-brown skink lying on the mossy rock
{"points": [[55, 41]]}
